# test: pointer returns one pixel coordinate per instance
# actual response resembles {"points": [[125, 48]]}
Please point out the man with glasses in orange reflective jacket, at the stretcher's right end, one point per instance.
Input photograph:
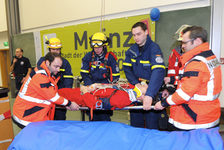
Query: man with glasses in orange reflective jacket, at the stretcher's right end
{"points": [[195, 103]]}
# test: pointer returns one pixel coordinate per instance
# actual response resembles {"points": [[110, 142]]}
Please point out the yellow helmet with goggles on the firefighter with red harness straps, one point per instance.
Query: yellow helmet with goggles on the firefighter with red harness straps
{"points": [[98, 39]]}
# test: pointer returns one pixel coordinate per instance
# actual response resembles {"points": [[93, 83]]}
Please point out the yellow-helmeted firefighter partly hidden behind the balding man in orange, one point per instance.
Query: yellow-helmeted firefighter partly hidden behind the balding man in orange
{"points": [[66, 80]]}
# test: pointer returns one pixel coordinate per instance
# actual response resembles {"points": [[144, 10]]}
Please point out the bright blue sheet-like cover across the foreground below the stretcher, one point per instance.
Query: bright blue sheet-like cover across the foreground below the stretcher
{"points": [[78, 135]]}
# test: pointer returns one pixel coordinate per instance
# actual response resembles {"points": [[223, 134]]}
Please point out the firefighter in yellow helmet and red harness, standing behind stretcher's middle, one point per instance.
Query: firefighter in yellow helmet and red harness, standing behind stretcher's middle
{"points": [[100, 66]]}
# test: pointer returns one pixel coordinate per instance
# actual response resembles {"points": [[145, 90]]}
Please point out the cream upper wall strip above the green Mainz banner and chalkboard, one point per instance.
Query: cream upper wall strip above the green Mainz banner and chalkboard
{"points": [[42, 14]]}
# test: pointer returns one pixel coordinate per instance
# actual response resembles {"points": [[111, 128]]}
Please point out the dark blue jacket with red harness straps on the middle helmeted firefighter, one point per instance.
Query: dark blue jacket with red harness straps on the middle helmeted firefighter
{"points": [[99, 69]]}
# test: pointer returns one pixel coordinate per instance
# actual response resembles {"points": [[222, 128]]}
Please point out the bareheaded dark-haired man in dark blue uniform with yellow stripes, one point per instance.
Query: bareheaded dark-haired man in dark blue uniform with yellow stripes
{"points": [[144, 61]]}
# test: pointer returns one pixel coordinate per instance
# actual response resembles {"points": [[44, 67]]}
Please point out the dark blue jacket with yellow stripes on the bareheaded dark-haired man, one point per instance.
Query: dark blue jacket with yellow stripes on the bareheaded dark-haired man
{"points": [[146, 64]]}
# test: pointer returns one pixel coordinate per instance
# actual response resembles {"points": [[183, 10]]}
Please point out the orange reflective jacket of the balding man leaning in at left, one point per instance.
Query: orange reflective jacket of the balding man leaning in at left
{"points": [[37, 97]]}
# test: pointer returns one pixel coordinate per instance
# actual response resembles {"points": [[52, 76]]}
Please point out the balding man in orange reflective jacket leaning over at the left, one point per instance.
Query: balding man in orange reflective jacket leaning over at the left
{"points": [[39, 93]]}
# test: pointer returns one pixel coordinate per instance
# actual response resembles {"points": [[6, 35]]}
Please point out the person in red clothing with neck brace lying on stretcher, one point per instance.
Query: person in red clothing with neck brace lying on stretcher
{"points": [[104, 96]]}
